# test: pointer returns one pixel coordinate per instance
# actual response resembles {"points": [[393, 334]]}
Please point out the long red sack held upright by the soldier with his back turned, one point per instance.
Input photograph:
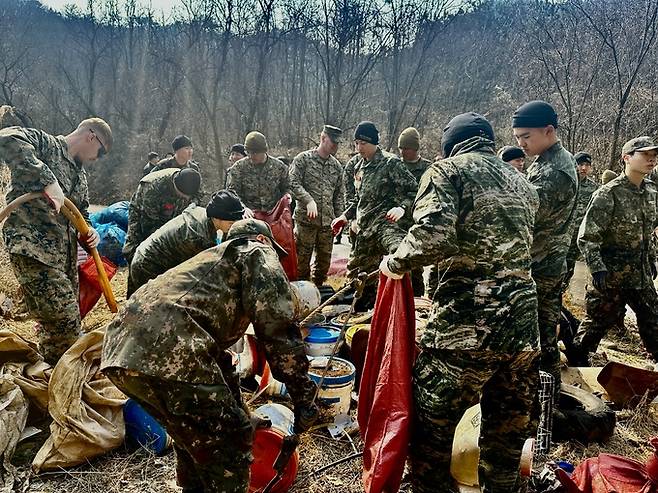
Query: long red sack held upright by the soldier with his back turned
{"points": [[385, 398]]}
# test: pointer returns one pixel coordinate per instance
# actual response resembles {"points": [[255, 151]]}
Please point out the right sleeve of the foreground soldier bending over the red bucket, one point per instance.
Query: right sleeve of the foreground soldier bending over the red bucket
{"points": [[267, 300]]}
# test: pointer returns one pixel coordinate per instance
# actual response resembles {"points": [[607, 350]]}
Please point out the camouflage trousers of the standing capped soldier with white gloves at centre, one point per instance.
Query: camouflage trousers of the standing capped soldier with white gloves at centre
{"points": [[309, 237]]}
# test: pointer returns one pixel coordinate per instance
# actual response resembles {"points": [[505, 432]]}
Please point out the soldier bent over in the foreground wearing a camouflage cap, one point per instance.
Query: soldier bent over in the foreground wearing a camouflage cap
{"points": [[167, 349]]}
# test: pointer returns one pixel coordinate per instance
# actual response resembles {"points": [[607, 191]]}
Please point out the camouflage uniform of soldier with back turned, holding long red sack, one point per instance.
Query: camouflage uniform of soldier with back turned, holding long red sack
{"points": [[474, 216]]}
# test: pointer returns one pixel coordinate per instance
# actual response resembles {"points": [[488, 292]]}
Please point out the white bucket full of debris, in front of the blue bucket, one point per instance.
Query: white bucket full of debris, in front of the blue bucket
{"points": [[336, 390]]}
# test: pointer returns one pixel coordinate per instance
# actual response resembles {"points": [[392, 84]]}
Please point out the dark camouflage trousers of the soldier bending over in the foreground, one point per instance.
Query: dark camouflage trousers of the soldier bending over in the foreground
{"points": [[211, 431]]}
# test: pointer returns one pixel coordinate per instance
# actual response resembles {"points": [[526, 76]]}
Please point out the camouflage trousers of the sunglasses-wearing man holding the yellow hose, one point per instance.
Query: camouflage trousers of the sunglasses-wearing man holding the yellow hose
{"points": [[51, 296]]}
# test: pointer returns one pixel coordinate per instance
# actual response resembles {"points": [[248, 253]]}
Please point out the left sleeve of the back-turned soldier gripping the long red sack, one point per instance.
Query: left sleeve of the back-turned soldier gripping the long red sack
{"points": [[433, 236]]}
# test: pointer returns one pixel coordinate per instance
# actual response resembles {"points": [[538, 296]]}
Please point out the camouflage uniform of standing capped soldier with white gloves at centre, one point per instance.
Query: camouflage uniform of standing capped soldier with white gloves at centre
{"points": [[321, 180]]}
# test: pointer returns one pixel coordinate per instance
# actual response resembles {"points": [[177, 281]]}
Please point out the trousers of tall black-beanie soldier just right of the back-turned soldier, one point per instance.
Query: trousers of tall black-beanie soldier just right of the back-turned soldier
{"points": [[549, 303]]}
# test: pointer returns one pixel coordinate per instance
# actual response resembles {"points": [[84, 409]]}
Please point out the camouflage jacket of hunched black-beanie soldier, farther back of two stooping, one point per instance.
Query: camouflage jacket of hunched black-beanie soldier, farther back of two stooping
{"points": [[155, 202]]}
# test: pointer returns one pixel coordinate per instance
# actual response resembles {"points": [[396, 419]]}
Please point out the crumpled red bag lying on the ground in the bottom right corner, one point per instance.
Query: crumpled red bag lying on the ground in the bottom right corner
{"points": [[609, 473]]}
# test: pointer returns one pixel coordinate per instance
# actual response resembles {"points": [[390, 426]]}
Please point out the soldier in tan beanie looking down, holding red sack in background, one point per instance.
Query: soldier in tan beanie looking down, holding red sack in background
{"points": [[260, 180]]}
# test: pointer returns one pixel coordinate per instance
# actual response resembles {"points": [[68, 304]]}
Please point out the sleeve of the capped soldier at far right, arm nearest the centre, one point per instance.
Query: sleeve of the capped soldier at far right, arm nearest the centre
{"points": [[594, 226]]}
